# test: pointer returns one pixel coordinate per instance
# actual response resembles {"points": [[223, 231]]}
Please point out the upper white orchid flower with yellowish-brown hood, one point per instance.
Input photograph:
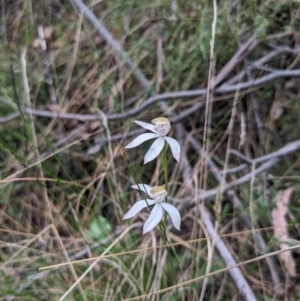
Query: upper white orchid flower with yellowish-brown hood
{"points": [[160, 127]]}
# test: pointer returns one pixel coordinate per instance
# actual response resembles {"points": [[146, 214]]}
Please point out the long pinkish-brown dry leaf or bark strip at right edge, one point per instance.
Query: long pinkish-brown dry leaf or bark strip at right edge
{"points": [[281, 229]]}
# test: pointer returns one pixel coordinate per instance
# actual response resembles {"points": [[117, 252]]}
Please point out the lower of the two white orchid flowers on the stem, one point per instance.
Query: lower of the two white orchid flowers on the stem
{"points": [[157, 194]]}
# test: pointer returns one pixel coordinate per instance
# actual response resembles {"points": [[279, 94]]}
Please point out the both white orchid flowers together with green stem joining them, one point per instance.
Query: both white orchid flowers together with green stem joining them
{"points": [[157, 195]]}
